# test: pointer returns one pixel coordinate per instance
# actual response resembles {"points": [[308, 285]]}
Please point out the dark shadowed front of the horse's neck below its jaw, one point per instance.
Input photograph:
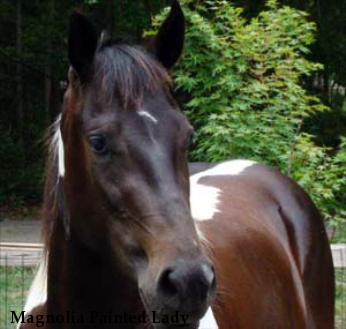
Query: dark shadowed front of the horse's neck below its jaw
{"points": [[80, 280]]}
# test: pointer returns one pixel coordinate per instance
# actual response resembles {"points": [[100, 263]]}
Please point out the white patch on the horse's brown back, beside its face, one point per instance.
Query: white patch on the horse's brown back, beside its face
{"points": [[204, 199]]}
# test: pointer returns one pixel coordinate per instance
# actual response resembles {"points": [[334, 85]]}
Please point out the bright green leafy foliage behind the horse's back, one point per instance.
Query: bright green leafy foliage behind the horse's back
{"points": [[241, 81]]}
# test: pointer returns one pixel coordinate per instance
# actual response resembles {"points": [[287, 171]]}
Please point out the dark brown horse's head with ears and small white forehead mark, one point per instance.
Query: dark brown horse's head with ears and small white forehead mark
{"points": [[125, 170]]}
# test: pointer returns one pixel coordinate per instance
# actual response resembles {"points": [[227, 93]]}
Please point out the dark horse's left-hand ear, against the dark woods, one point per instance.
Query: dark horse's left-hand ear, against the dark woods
{"points": [[82, 43]]}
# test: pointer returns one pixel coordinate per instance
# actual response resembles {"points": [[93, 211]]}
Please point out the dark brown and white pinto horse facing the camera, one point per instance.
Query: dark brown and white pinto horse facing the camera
{"points": [[132, 230]]}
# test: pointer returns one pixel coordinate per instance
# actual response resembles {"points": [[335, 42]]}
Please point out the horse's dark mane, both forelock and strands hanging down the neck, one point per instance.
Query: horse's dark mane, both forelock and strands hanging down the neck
{"points": [[124, 72]]}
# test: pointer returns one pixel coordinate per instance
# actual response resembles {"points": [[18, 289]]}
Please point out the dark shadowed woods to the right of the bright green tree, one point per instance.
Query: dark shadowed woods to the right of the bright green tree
{"points": [[330, 50]]}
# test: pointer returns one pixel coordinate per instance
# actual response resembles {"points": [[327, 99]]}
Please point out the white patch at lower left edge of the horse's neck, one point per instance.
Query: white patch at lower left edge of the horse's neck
{"points": [[38, 291]]}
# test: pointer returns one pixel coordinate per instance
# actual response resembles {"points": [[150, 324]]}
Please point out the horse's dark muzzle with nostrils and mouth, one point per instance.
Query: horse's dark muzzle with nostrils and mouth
{"points": [[184, 288]]}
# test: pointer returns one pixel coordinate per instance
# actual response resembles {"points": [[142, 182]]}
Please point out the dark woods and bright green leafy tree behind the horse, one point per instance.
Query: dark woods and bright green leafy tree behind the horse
{"points": [[259, 79]]}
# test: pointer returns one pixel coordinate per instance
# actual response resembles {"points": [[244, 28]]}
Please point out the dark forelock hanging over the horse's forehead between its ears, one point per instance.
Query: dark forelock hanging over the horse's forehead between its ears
{"points": [[128, 74]]}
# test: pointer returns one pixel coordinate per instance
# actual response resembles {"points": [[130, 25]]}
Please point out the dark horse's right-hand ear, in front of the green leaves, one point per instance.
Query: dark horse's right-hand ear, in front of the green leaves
{"points": [[169, 42]]}
